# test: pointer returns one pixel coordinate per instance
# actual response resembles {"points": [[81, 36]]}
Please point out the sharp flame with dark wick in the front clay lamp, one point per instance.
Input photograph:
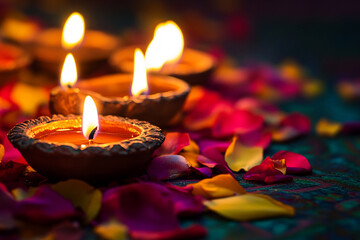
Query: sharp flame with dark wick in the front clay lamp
{"points": [[90, 120]]}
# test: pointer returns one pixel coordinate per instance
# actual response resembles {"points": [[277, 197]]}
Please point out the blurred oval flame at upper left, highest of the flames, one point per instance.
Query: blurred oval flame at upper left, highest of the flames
{"points": [[73, 31]]}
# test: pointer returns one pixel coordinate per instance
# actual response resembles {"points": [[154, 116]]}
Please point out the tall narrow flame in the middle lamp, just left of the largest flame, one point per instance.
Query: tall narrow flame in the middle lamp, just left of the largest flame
{"points": [[139, 84]]}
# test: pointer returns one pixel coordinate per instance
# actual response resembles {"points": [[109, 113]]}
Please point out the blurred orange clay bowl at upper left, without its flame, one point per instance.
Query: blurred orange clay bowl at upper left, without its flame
{"points": [[95, 49]]}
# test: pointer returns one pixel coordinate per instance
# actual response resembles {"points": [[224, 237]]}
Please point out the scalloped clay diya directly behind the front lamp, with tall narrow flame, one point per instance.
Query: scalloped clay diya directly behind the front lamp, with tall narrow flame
{"points": [[158, 99]]}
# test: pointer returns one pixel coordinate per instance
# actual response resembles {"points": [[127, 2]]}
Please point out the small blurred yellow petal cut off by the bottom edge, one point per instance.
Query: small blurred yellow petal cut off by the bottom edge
{"points": [[112, 230]]}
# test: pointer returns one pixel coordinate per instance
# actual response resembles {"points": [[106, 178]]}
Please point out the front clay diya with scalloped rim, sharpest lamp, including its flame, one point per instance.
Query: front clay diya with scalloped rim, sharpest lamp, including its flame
{"points": [[90, 148]]}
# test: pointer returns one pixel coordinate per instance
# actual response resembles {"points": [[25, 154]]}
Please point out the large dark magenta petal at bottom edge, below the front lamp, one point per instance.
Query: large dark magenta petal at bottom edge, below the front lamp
{"points": [[147, 209]]}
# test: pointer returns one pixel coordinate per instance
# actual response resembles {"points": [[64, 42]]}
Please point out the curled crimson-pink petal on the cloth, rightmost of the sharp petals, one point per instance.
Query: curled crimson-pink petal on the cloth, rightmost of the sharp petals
{"points": [[295, 163]]}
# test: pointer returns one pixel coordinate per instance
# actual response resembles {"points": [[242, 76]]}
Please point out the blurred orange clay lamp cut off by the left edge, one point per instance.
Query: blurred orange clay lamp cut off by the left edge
{"points": [[12, 60]]}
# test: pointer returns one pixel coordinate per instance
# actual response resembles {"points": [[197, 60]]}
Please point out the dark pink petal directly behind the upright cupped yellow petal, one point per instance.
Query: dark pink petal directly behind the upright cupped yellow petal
{"points": [[257, 138]]}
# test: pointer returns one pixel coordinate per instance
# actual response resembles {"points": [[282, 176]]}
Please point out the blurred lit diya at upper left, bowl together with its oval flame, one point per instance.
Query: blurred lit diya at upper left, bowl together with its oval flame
{"points": [[90, 47]]}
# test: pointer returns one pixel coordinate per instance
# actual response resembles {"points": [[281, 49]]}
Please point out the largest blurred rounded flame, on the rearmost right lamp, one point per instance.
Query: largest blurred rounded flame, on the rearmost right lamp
{"points": [[166, 46]]}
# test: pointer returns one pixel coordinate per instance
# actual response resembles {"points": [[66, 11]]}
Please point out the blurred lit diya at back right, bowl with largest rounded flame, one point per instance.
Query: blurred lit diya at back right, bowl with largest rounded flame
{"points": [[166, 55]]}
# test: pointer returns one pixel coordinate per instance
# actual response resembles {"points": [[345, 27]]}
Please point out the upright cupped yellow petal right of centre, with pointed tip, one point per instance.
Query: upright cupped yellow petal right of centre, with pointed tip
{"points": [[239, 156]]}
